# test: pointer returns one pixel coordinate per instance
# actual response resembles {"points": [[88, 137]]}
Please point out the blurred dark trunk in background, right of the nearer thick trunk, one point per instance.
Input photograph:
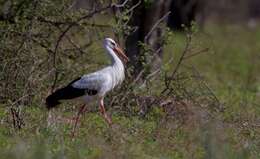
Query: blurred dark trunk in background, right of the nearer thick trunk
{"points": [[183, 13]]}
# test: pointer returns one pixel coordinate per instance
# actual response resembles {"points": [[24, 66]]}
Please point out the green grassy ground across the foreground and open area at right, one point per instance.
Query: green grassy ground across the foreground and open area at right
{"points": [[231, 69]]}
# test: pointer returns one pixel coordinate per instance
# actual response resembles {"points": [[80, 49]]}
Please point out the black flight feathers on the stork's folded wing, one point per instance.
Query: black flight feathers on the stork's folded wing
{"points": [[68, 92]]}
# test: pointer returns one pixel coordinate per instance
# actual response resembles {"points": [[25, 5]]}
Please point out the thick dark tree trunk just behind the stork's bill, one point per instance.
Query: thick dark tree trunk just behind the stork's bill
{"points": [[144, 19]]}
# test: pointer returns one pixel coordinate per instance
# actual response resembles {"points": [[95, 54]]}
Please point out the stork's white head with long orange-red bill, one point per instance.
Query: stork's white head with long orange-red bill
{"points": [[110, 43]]}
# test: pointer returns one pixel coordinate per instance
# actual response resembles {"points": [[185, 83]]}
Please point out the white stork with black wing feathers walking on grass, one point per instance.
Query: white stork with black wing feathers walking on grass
{"points": [[94, 86]]}
